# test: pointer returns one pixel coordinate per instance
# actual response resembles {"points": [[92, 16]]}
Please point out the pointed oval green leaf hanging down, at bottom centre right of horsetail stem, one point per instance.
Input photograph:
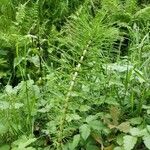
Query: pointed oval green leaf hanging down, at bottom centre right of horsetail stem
{"points": [[85, 131]]}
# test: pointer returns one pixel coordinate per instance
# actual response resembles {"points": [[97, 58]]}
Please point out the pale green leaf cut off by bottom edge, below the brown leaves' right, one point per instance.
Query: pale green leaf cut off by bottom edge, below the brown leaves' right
{"points": [[129, 142]]}
